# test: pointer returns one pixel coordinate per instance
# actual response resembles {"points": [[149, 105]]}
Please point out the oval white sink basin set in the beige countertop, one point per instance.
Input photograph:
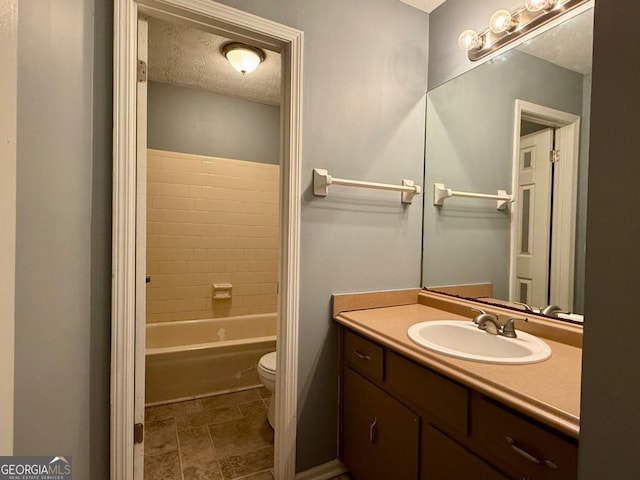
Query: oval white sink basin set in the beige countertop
{"points": [[462, 339]]}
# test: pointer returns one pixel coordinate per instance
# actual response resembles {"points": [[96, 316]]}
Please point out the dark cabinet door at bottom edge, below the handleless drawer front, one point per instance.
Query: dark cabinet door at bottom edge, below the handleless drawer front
{"points": [[444, 459]]}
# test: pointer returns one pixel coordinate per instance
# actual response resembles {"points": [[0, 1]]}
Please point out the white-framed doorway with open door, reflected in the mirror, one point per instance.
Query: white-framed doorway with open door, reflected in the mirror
{"points": [[543, 219]]}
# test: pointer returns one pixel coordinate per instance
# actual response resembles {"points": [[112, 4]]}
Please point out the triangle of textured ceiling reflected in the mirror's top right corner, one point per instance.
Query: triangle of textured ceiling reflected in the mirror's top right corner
{"points": [[569, 45]]}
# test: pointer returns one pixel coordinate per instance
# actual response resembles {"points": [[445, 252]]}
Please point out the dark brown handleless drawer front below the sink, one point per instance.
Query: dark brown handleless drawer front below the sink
{"points": [[441, 398]]}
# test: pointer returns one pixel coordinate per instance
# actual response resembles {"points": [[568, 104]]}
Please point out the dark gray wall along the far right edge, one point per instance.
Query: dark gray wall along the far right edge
{"points": [[610, 418]]}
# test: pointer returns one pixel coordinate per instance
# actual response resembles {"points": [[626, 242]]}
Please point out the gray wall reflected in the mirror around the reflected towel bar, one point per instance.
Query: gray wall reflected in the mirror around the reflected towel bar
{"points": [[469, 144]]}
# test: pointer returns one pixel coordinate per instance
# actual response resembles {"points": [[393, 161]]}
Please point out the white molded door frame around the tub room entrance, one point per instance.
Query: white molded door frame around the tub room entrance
{"points": [[239, 25]]}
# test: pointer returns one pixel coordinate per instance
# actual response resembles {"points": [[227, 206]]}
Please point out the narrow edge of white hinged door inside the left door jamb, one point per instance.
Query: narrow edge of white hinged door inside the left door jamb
{"points": [[141, 244]]}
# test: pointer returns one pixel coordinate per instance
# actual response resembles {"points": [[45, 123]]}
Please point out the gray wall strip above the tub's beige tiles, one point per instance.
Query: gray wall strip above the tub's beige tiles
{"points": [[194, 121]]}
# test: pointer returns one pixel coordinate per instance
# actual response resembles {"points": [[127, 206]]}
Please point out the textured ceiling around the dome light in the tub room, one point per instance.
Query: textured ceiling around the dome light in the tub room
{"points": [[187, 57]]}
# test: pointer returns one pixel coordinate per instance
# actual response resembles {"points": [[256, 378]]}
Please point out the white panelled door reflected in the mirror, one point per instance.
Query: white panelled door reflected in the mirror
{"points": [[534, 209]]}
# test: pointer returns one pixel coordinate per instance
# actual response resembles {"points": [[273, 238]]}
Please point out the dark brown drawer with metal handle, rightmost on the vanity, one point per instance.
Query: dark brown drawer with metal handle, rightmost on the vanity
{"points": [[531, 449]]}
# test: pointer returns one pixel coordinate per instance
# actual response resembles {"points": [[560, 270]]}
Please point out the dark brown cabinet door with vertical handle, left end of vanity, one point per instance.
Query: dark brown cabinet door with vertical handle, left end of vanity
{"points": [[379, 435]]}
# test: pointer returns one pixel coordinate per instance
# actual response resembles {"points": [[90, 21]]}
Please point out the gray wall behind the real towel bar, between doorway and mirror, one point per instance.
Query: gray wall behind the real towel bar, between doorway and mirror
{"points": [[364, 89]]}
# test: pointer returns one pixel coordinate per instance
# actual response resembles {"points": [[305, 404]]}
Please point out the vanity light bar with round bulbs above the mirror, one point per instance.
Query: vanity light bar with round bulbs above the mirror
{"points": [[506, 27]]}
